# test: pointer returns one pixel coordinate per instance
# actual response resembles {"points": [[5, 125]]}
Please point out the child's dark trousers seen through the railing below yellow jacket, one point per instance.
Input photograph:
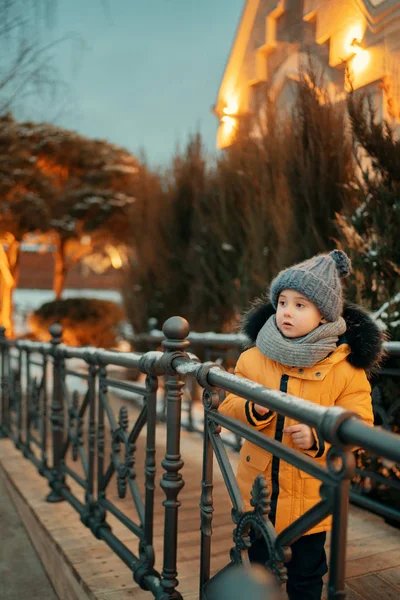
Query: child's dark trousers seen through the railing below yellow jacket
{"points": [[305, 569]]}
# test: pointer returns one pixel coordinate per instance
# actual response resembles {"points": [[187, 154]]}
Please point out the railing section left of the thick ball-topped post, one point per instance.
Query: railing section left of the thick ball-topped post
{"points": [[85, 413]]}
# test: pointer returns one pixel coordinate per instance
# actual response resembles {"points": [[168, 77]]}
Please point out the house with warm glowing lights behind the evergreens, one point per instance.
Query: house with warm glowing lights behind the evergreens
{"points": [[275, 37]]}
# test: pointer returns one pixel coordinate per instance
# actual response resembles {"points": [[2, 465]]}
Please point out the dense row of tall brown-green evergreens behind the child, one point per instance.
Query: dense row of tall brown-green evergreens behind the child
{"points": [[220, 232]]}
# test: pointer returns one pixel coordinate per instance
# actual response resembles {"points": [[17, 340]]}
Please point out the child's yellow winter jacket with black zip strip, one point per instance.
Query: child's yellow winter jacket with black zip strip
{"points": [[333, 381]]}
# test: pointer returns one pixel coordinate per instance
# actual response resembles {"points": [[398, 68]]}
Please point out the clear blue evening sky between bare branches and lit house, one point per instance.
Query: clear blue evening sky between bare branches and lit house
{"points": [[146, 72]]}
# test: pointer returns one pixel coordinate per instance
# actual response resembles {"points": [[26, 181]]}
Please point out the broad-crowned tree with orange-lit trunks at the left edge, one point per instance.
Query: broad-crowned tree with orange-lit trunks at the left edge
{"points": [[74, 192]]}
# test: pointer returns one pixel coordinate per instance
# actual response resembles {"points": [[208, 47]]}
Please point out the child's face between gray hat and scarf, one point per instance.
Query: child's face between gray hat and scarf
{"points": [[296, 315]]}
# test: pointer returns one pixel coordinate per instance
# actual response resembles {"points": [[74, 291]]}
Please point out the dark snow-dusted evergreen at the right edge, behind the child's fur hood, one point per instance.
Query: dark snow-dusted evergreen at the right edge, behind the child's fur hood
{"points": [[370, 233]]}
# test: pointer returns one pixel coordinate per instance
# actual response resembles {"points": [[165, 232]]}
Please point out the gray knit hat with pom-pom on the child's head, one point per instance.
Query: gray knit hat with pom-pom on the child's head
{"points": [[318, 279]]}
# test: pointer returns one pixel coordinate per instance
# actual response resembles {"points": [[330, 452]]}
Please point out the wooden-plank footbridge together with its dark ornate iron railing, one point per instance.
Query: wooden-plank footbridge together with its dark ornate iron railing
{"points": [[117, 500]]}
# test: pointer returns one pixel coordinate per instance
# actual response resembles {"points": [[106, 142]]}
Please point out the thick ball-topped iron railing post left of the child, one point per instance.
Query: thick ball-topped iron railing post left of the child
{"points": [[175, 330]]}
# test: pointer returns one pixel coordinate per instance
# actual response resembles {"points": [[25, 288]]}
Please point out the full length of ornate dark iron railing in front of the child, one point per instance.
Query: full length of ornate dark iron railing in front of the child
{"points": [[31, 405]]}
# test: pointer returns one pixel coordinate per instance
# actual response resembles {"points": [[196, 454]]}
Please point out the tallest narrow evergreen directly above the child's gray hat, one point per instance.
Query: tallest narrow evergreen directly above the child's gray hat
{"points": [[319, 165]]}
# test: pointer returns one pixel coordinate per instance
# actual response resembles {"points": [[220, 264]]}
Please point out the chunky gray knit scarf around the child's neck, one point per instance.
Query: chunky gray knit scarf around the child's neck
{"points": [[305, 351]]}
